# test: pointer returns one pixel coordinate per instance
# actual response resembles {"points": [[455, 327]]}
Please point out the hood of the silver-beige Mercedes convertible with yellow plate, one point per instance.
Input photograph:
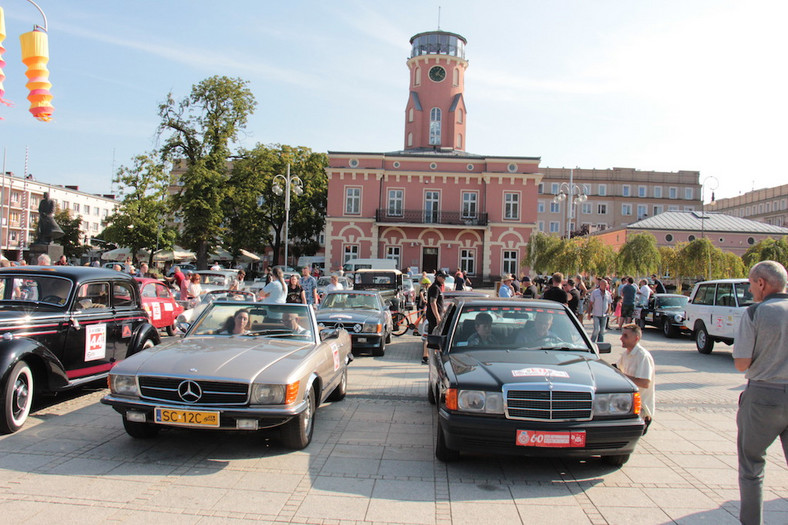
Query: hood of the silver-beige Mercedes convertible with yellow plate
{"points": [[229, 358]]}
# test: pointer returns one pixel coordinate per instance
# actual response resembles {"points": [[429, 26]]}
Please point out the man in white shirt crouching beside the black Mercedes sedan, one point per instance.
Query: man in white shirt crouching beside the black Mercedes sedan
{"points": [[637, 364]]}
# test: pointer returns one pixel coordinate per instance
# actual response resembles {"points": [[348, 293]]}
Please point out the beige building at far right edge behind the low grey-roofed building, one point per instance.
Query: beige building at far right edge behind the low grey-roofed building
{"points": [[768, 205]]}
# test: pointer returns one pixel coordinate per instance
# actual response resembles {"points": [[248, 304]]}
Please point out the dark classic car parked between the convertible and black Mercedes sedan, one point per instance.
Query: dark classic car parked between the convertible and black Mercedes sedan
{"points": [[363, 314]]}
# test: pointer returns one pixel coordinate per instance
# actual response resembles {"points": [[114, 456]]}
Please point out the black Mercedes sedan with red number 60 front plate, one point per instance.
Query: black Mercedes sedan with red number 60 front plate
{"points": [[520, 377]]}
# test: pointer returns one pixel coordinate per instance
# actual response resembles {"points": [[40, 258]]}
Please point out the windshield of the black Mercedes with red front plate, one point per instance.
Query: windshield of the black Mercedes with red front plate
{"points": [[517, 328]]}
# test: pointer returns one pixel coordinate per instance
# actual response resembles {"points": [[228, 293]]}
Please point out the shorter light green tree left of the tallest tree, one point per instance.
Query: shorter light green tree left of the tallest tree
{"points": [[139, 220]]}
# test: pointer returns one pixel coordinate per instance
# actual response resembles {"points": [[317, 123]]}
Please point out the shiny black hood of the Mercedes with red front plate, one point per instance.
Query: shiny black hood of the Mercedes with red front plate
{"points": [[491, 369]]}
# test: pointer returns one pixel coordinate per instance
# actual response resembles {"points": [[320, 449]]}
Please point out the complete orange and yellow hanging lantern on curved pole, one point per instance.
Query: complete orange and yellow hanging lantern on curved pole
{"points": [[35, 55]]}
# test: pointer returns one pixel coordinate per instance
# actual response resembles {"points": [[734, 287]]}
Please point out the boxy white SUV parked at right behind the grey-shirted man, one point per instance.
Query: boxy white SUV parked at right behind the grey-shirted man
{"points": [[714, 311]]}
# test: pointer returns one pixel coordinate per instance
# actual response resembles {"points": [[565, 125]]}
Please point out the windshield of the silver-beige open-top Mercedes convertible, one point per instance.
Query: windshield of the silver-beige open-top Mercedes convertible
{"points": [[252, 319]]}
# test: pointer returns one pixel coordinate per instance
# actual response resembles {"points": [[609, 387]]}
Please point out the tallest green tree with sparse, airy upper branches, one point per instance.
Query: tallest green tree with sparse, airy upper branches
{"points": [[199, 131]]}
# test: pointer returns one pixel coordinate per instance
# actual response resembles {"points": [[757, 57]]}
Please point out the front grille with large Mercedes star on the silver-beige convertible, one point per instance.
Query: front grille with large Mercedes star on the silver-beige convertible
{"points": [[212, 392]]}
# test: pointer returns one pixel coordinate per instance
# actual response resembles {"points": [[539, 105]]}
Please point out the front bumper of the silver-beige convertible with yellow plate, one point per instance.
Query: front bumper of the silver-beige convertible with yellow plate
{"points": [[228, 416]]}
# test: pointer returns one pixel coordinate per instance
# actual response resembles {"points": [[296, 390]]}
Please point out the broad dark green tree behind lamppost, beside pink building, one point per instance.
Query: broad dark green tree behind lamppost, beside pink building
{"points": [[251, 200]]}
